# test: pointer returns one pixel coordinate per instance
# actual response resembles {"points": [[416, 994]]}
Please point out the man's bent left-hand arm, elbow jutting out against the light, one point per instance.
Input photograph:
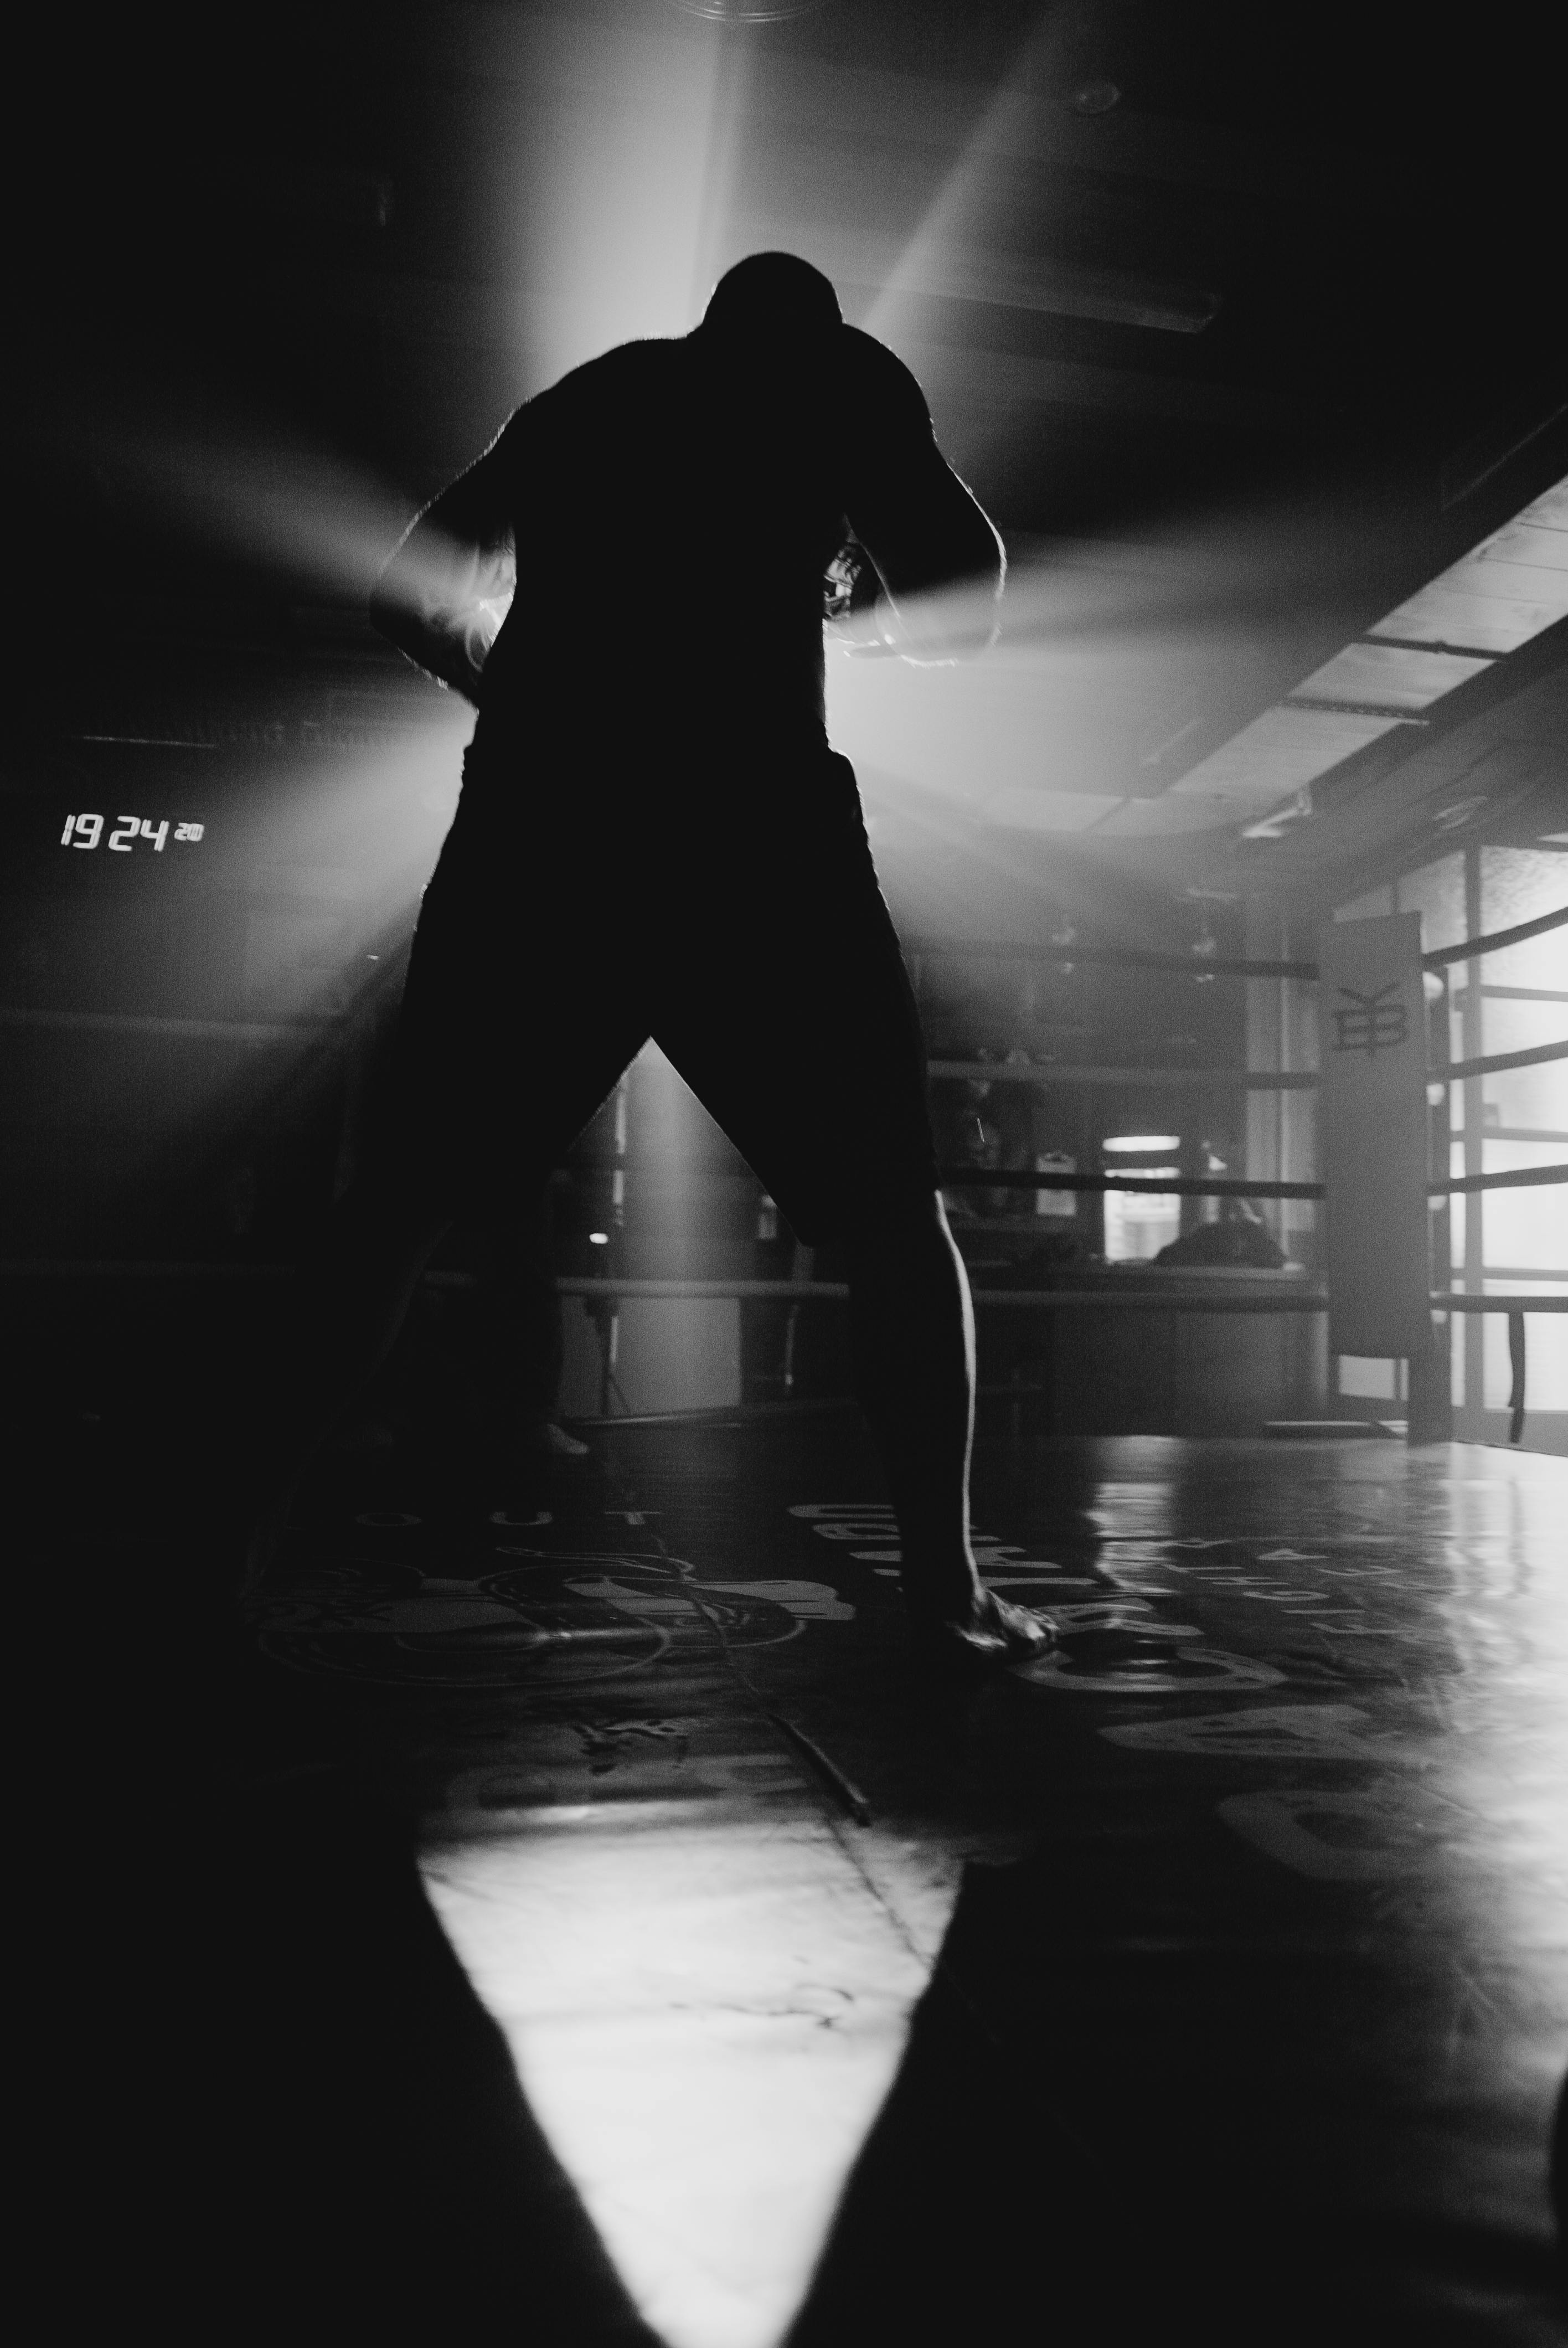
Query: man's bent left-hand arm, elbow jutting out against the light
{"points": [[450, 583]]}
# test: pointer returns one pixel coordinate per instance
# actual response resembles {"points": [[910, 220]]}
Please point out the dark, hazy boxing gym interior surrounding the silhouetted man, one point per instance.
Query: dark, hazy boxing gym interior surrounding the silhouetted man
{"points": [[548, 1901]]}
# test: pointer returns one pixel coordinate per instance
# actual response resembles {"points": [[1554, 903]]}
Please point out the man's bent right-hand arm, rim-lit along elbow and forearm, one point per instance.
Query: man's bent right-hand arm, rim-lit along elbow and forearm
{"points": [[938, 558]]}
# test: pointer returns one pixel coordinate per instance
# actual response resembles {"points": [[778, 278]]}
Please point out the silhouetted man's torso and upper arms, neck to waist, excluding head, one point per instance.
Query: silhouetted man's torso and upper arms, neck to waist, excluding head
{"points": [[675, 511]]}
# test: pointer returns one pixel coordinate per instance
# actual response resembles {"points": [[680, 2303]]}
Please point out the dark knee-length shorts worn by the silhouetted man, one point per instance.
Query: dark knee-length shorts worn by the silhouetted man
{"points": [[726, 908]]}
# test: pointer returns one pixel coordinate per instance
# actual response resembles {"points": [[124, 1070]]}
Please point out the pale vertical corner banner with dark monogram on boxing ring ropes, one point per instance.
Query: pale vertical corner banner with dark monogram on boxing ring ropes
{"points": [[1374, 1135]]}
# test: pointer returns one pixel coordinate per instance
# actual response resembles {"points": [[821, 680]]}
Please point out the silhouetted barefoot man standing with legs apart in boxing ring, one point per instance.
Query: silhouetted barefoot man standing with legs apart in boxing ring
{"points": [[656, 837]]}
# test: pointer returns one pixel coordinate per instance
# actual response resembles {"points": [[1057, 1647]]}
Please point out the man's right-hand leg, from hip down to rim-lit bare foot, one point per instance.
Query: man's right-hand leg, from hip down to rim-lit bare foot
{"points": [[816, 1067]]}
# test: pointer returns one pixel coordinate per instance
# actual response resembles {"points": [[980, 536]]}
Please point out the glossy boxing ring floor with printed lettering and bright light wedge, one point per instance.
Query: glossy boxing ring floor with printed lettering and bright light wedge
{"points": [[565, 1915]]}
